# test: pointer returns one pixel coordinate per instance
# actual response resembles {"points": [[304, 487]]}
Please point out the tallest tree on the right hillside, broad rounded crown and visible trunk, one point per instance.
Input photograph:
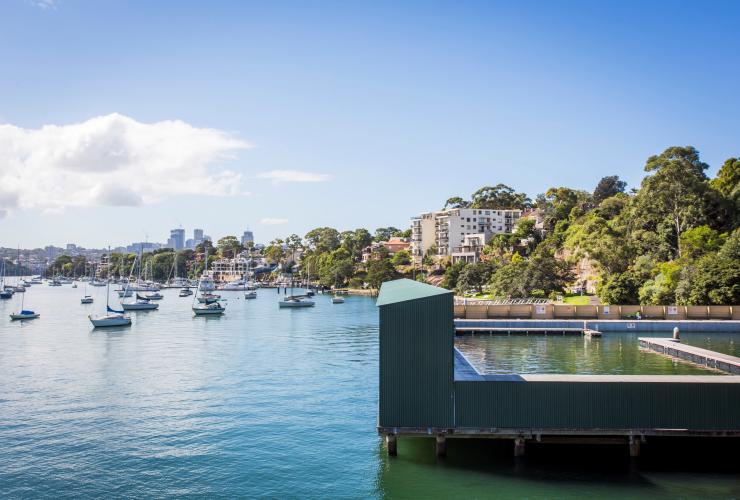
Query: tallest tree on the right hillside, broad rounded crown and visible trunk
{"points": [[672, 199]]}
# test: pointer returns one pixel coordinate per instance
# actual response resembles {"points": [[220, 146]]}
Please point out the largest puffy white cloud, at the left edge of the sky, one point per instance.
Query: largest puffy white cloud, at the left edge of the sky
{"points": [[113, 160]]}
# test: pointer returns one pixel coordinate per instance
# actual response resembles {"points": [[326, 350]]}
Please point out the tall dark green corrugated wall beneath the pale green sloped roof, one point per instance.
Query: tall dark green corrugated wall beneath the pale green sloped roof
{"points": [[416, 363]]}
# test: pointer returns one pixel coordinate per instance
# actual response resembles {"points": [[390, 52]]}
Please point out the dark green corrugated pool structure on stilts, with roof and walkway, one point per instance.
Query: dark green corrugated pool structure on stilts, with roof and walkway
{"points": [[427, 388]]}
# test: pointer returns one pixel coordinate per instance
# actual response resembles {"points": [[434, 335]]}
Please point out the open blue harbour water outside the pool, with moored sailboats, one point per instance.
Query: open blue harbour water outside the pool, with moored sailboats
{"points": [[260, 402]]}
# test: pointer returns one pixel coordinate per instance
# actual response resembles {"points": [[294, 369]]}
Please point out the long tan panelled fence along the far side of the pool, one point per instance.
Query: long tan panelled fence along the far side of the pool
{"points": [[479, 310]]}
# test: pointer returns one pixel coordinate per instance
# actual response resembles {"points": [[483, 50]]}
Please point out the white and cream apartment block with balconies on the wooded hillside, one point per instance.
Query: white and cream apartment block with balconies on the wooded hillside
{"points": [[448, 229]]}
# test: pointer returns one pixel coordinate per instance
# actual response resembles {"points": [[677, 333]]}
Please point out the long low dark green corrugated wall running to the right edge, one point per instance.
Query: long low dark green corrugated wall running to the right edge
{"points": [[598, 405]]}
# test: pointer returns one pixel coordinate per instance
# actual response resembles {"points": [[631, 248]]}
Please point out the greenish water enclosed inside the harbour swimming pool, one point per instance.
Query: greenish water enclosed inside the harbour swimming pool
{"points": [[613, 354]]}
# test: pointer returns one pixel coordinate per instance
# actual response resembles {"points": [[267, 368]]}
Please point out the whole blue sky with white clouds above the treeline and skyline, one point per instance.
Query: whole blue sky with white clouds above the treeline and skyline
{"points": [[120, 120]]}
